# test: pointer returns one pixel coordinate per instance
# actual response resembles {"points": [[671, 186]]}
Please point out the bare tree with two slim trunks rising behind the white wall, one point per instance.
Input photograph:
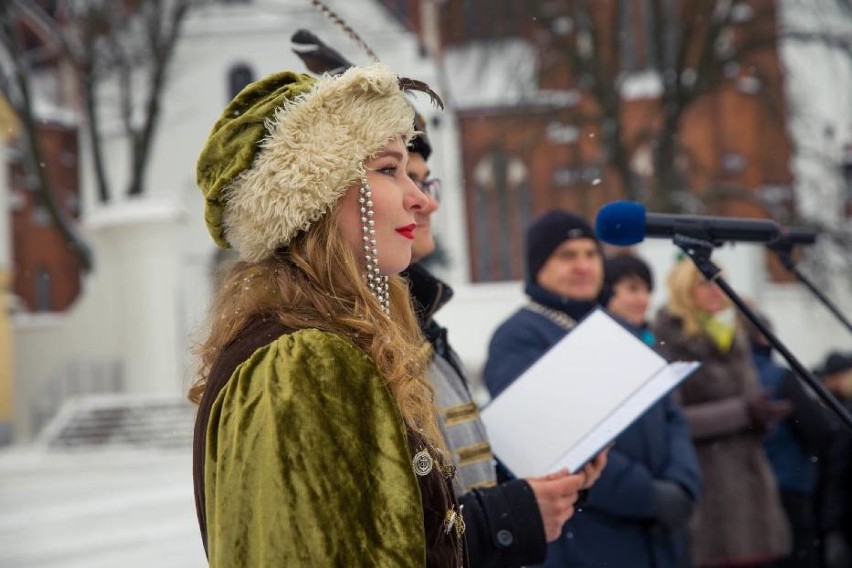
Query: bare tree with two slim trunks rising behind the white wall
{"points": [[111, 43]]}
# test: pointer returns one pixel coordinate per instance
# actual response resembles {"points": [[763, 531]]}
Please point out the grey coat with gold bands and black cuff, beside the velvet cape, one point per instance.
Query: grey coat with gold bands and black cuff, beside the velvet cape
{"points": [[503, 522]]}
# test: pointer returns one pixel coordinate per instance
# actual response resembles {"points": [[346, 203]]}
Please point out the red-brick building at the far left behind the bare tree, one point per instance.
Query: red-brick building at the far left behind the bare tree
{"points": [[46, 274]]}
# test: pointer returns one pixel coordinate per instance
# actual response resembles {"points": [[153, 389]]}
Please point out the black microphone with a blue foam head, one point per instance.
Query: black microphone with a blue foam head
{"points": [[626, 223]]}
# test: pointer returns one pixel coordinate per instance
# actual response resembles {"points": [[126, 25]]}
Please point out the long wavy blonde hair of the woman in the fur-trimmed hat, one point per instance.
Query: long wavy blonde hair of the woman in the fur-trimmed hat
{"points": [[315, 283]]}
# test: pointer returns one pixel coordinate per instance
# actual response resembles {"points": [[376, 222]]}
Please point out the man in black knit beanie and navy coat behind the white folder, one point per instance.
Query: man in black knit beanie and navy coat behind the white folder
{"points": [[643, 499]]}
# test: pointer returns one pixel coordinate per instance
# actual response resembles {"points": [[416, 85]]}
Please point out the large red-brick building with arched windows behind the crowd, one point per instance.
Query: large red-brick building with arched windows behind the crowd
{"points": [[540, 130]]}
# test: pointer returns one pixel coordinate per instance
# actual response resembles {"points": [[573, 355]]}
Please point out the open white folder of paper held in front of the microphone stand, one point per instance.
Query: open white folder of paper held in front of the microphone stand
{"points": [[574, 400]]}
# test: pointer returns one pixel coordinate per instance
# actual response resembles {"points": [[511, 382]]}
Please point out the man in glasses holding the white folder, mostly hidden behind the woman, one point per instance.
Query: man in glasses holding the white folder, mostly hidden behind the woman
{"points": [[507, 525]]}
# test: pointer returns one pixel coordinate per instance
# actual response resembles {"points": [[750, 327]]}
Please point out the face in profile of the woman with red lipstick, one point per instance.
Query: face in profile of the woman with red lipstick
{"points": [[396, 202]]}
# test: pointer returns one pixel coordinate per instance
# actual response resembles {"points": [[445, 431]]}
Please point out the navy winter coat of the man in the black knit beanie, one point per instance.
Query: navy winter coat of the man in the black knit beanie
{"points": [[616, 525]]}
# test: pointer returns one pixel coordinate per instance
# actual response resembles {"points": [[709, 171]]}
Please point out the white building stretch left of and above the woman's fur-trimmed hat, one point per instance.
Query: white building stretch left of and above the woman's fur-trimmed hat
{"points": [[143, 306]]}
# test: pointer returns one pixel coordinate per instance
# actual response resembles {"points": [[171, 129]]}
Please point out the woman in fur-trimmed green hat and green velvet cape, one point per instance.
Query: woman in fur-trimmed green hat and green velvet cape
{"points": [[316, 442]]}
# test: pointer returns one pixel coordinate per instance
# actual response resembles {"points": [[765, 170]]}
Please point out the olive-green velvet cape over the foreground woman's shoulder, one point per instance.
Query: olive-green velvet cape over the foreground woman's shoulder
{"points": [[307, 462]]}
